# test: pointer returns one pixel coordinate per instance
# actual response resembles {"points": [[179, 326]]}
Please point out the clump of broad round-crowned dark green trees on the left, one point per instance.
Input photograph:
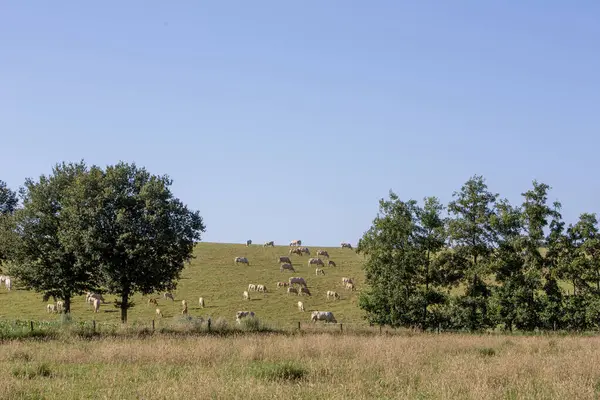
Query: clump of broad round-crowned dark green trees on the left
{"points": [[117, 230]]}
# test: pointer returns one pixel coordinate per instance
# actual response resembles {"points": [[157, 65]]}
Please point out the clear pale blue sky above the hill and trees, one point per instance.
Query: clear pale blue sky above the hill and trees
{"points": [[284, 120]]}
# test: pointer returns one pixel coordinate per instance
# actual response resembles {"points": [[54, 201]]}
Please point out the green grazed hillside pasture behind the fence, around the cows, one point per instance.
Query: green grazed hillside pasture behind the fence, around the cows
{"points": [[214, 276]]}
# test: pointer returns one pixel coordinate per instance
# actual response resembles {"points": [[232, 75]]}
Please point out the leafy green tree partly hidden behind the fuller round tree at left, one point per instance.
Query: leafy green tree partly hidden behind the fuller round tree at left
{"points": [[40, 259]]}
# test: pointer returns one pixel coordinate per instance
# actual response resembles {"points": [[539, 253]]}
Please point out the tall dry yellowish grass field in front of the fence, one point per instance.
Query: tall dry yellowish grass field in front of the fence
{"points": [[310, 366]]}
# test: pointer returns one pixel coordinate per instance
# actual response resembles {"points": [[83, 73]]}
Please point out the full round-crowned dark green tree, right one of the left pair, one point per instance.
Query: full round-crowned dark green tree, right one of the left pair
{"points": [[129, 223]]}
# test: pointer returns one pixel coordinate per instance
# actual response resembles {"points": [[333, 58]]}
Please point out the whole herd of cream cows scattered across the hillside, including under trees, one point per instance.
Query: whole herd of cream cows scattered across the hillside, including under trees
{"points": [[295, 285]]}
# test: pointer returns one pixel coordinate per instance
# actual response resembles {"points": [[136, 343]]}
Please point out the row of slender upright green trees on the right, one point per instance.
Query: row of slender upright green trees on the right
{"points": [[481, 263]]}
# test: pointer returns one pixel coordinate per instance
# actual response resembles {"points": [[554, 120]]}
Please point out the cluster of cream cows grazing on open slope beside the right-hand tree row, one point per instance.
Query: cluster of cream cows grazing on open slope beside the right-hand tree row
{"points": [[296, 284]]}
